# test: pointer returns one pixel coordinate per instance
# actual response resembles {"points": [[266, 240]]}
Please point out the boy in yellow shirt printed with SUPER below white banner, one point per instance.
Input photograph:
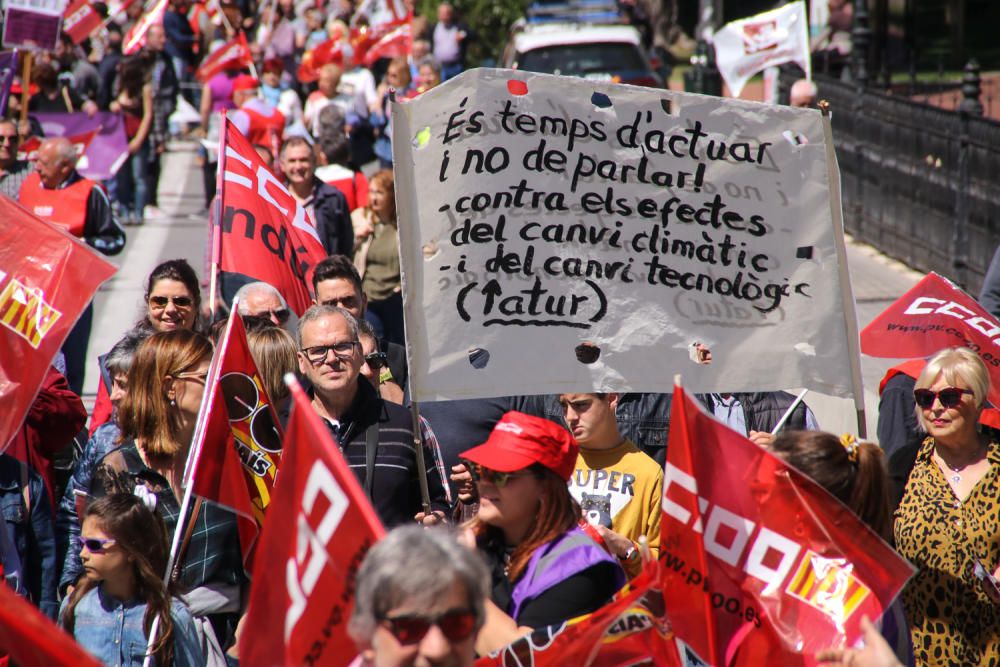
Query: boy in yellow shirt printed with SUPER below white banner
{"points": [[618, 486]]}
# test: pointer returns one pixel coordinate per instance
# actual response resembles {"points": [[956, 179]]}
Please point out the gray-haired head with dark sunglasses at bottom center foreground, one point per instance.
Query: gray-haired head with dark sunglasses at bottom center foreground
{"points": [[406, 613]]}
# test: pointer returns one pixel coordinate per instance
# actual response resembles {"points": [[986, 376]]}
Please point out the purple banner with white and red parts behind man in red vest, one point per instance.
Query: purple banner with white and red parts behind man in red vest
{"points": [[107, 151]]}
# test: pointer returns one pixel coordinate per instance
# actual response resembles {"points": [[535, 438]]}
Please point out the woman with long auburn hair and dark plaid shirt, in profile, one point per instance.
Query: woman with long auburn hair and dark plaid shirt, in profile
{"points": [[157, 418]]}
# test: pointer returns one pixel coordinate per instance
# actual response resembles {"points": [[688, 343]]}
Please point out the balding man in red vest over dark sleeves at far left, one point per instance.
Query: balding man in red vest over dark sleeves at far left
{"points": [[56, 192]]}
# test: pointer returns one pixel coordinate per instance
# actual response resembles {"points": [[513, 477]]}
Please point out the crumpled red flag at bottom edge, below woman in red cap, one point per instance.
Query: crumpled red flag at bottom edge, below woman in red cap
{"points": [[630, 629]]}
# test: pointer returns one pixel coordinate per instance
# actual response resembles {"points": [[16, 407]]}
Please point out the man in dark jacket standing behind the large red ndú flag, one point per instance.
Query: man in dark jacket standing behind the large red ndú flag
{"points": [[325, 204]]}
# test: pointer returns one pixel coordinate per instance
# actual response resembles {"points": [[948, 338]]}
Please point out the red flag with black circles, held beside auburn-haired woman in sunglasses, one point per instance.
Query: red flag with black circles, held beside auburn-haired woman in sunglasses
{"points": [[240, 443]]}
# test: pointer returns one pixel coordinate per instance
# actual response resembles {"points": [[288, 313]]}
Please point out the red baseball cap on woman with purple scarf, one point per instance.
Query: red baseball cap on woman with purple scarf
{"points": [[519, 440]]}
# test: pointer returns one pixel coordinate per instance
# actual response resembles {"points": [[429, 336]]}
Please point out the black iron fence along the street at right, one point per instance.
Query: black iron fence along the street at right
{"points": [[920, 183]]}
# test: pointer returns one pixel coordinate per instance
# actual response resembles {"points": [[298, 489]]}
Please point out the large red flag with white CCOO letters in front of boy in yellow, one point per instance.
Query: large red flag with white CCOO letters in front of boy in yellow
{"points": [[757, 557]]}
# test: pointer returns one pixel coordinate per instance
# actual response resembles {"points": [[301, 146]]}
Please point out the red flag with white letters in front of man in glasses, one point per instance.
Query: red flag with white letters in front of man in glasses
{"points": [[318, 530]]}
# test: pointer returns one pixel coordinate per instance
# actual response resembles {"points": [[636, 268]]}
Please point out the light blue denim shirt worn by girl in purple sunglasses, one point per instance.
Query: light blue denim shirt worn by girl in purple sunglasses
{"points": [[112, 631]]}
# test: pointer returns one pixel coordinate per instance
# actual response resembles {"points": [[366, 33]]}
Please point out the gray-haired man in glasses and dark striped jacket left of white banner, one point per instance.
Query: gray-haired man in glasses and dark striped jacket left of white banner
{"points": [[375, 436]]}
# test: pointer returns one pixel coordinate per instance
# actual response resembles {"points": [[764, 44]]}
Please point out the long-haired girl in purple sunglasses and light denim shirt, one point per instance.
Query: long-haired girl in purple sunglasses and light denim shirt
{"points": [[123, 546]]}
